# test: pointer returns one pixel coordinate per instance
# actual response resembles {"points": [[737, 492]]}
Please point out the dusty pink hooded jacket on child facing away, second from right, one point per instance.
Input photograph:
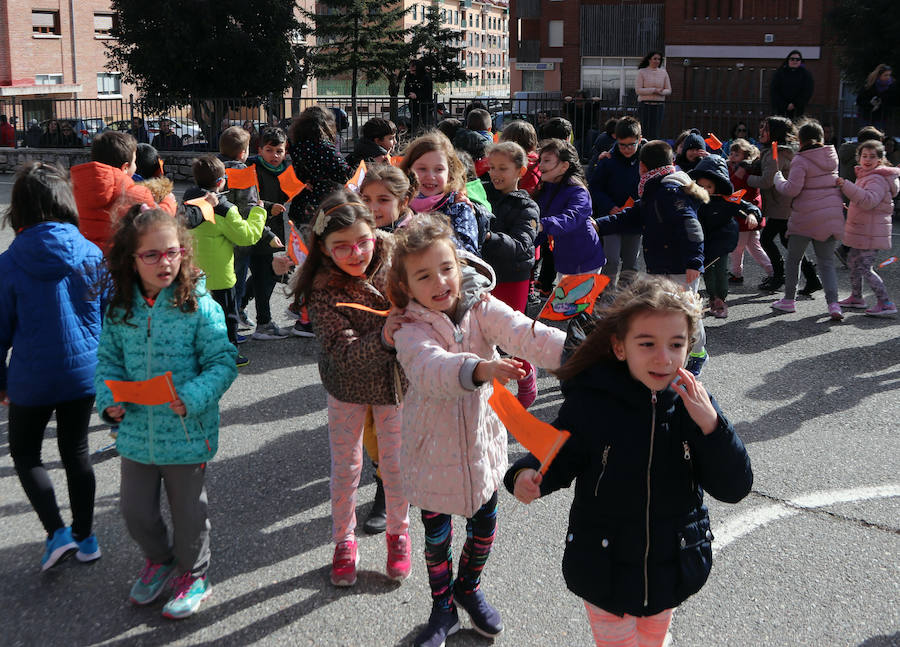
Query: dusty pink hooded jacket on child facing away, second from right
{"points": [[817, 210]]}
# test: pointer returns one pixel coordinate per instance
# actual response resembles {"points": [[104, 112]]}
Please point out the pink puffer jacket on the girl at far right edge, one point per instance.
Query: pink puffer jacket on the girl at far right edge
{"points": [[871, 207]]}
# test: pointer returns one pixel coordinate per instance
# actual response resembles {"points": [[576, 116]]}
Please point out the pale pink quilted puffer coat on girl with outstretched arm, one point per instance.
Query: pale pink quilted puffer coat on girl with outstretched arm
{"points": [[454, 446]]}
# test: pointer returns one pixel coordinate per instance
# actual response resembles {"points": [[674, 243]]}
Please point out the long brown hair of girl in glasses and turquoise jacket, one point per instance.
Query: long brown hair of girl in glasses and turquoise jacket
{"points": [[120, 260]]}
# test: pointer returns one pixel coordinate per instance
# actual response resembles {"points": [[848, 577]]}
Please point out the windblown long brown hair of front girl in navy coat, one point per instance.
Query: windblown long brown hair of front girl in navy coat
{"points": [[645, 294]]}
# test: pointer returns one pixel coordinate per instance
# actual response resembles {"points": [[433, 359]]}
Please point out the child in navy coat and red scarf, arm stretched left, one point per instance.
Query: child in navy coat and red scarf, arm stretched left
{"points": [[666, 215]]}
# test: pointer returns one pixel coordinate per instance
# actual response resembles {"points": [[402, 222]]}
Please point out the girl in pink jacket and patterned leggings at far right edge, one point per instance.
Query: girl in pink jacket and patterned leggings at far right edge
{"points": [[868, 226]]}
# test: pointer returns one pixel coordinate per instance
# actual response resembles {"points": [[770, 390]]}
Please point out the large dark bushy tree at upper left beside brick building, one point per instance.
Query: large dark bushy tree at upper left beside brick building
{"points": [[177, 53]]}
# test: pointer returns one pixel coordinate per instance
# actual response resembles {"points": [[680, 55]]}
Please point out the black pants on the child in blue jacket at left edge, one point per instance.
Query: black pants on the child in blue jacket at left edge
{"points": [[26, 435]]}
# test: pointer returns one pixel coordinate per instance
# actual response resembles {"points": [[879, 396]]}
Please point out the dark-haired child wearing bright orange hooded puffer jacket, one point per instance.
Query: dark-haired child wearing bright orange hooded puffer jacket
{"points": [[103, 187]]}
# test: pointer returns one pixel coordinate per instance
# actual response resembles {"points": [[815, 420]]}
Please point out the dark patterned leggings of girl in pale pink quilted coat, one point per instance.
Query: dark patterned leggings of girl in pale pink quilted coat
{"points": [[480, 531]]}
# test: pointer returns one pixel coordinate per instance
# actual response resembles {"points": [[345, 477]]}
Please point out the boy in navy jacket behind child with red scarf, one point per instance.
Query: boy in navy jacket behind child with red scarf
{"points": [[614, 182]]}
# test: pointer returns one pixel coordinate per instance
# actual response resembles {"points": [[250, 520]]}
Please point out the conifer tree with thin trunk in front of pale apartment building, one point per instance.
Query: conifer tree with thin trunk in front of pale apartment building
{"points": [[355, 37]]}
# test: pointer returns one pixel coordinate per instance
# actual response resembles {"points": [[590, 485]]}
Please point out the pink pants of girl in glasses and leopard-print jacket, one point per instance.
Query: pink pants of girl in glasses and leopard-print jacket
{"points": [[345, 430]]}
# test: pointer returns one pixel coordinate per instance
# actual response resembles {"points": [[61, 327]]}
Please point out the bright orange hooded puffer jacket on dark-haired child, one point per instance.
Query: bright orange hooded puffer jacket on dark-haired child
{"points": [[102, 194]]}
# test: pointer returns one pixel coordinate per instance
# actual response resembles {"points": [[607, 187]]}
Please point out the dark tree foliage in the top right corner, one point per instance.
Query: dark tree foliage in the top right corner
{"points": [[865, 34]]}
